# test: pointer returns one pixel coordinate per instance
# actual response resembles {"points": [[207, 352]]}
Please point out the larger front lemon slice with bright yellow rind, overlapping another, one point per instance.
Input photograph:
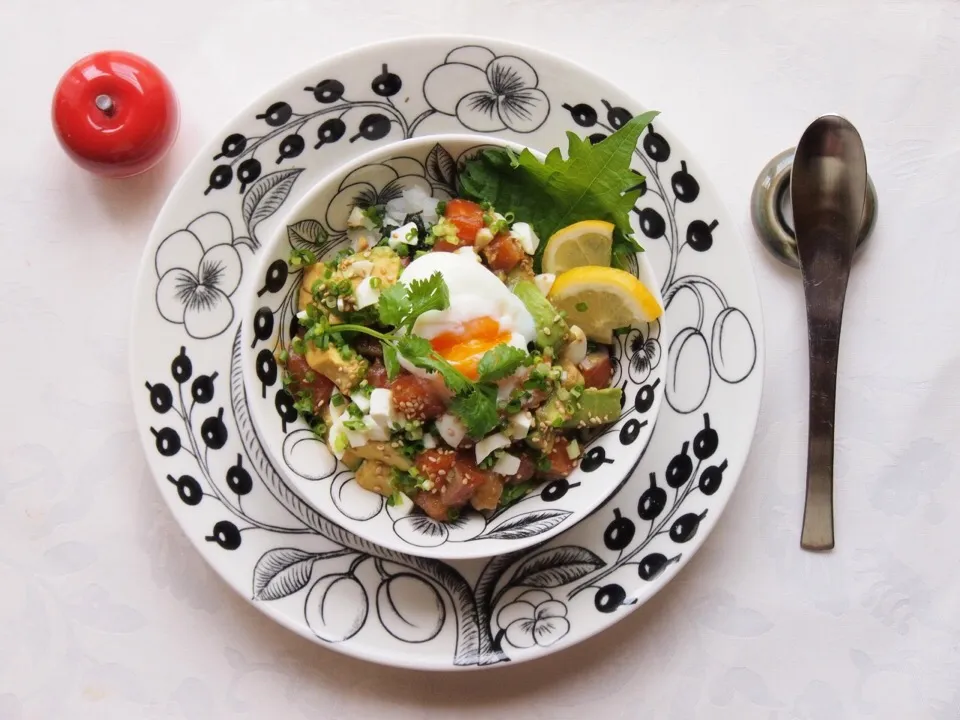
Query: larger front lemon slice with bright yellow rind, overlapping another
{"points": [[602, 299]]}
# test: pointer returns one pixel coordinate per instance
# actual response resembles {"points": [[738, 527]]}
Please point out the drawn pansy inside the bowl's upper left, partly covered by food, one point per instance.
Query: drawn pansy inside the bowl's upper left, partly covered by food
{"points": [[375, 184]]}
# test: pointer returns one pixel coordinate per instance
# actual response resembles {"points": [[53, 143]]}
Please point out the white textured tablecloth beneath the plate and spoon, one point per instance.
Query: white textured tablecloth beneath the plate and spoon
{"points": [[107, 612]]}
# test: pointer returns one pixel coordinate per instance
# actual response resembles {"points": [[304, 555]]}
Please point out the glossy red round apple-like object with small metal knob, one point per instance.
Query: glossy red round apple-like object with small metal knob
{"points": [[115, 114]]}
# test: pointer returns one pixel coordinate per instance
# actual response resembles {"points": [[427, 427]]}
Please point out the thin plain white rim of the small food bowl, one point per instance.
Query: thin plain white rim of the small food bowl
{"points": [[460, 550]]}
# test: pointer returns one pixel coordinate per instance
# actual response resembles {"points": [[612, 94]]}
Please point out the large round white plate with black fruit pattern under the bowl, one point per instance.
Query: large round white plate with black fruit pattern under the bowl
{"points": [[312, 575]]}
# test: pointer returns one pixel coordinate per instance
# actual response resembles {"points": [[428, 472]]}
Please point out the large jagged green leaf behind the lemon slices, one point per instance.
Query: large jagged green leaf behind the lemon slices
{"points": [[595, 182]]}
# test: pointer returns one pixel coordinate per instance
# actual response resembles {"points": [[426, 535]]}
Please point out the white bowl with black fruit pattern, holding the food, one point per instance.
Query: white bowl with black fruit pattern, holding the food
{"points": [[326, 484]]}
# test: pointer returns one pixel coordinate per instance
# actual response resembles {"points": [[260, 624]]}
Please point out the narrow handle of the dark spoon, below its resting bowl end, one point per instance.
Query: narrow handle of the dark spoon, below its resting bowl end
{"points": [[824, 297]]}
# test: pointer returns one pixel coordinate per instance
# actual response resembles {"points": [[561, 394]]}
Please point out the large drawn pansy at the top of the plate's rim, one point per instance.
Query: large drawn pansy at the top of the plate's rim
{"points": [[487, 93]]}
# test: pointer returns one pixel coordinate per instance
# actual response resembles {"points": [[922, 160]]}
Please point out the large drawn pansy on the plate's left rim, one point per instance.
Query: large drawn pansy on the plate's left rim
{"points": [[199, 269]]}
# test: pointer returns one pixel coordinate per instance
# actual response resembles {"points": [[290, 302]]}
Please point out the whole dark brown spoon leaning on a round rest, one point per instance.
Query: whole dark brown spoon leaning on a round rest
{"points": [[829, 187]]}
